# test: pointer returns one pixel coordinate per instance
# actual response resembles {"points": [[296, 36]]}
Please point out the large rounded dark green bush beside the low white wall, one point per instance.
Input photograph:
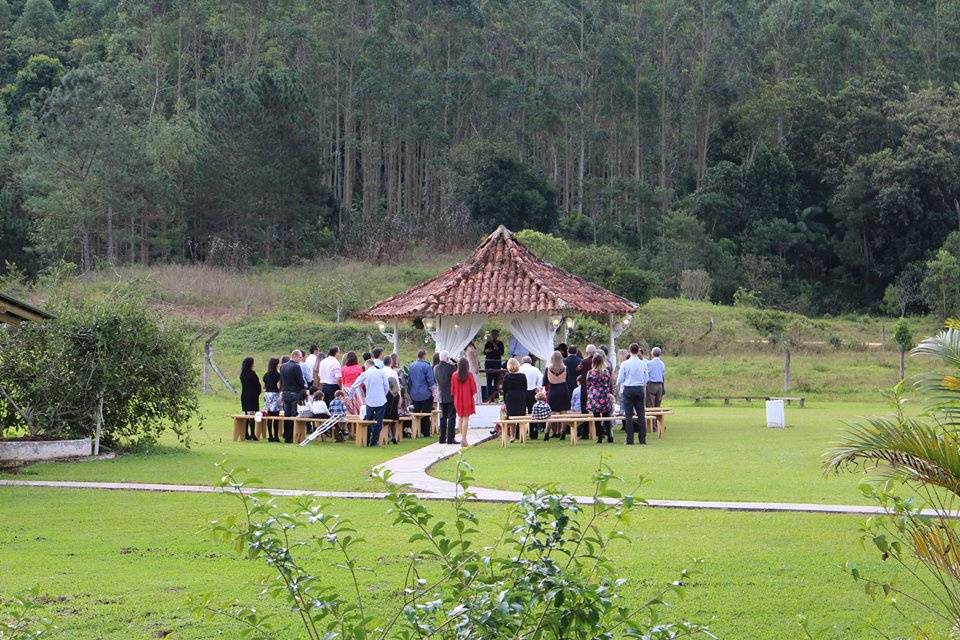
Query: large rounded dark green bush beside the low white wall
{"points": [[54, 374]]}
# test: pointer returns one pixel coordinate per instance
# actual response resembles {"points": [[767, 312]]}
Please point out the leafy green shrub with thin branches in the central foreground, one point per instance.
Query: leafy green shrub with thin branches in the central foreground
{"points": [[546, 575]]}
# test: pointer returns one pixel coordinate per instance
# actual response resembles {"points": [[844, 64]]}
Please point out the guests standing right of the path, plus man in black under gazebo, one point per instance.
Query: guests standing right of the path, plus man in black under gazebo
{"points": [[592, 384]]}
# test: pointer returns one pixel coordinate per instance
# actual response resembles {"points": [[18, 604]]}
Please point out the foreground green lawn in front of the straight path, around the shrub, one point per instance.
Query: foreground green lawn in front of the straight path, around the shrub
{"points": [[122, 564]]}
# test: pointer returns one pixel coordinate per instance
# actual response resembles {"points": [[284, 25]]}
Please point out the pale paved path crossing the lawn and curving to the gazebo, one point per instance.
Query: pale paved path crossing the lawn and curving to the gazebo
{"points": [[412, 469]]}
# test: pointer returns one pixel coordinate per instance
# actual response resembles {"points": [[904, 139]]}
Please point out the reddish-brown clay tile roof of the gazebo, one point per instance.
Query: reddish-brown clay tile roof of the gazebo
{"points": [[501, 276]]}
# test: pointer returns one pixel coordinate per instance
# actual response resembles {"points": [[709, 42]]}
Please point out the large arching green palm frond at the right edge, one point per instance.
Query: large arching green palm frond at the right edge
{"points": [[911, 449]]}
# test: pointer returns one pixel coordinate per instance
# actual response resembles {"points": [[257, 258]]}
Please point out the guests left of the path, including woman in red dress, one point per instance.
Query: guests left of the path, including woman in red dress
{"points": [[371, 386]]}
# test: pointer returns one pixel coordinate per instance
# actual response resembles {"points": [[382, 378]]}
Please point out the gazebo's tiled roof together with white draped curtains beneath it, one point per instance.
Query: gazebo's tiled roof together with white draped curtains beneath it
{"points": [[501, 278]]}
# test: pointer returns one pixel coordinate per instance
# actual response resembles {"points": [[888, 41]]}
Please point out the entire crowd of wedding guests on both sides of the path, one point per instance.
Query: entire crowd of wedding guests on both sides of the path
{"points": [[377, 388]]}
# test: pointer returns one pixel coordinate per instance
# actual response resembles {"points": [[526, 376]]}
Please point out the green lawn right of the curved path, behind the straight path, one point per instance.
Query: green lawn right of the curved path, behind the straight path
{"points": [[711, 452]]}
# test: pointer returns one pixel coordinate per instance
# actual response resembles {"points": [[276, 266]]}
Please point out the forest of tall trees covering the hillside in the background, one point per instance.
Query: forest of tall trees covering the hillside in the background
{"points": [[803, 151]]}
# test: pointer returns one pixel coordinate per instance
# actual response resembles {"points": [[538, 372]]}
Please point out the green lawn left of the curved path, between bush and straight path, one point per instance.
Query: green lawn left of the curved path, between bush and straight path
{"points": [[328, 465]]}
